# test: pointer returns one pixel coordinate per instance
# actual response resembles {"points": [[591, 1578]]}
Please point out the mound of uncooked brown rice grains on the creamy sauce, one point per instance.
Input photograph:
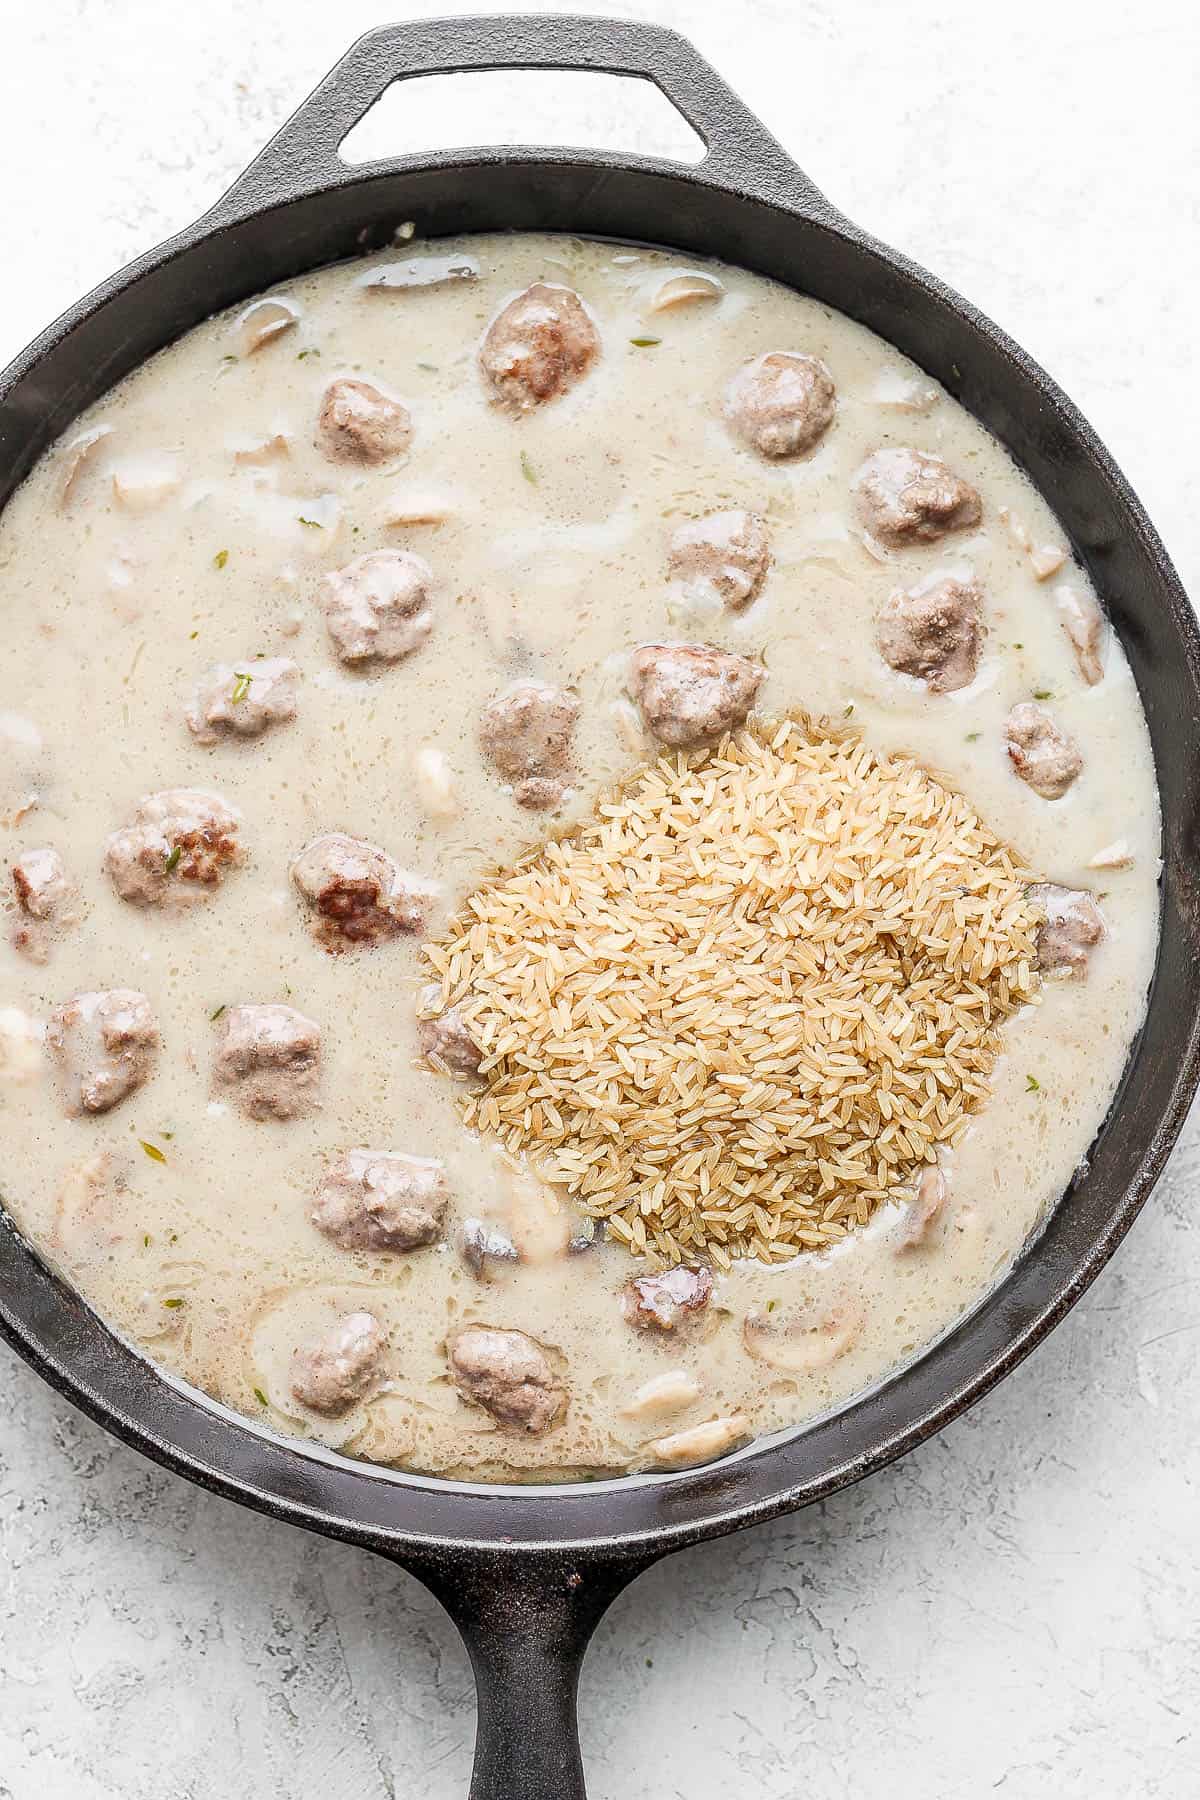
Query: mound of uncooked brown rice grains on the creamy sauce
{"points": [[737, 1011]]}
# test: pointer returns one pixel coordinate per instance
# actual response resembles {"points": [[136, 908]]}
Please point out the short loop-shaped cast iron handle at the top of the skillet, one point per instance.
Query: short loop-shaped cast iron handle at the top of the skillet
{"points": [[303, 157]]}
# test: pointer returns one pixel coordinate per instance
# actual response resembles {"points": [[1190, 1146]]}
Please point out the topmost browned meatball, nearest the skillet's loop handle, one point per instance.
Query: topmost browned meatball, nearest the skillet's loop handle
{"points": [[539, 346]]}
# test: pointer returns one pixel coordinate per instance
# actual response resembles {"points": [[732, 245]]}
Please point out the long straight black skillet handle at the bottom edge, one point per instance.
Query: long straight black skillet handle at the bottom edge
{"points": [[526, 1619]]}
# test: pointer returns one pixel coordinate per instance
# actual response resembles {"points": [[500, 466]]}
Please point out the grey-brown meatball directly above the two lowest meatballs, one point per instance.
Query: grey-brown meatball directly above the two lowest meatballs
{"points": [[382, 1200]]}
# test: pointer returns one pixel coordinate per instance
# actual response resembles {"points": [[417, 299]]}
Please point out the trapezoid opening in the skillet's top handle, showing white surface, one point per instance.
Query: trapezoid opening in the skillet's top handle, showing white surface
{"points": [[573, 109]]}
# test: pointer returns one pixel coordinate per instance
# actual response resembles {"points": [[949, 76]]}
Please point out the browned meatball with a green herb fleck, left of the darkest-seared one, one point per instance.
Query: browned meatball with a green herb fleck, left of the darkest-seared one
{"points": [[181, 841]]}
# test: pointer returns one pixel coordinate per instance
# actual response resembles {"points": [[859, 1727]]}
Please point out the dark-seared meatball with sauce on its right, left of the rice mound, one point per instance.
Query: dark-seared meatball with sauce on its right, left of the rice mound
{"points": [[357, 892]]}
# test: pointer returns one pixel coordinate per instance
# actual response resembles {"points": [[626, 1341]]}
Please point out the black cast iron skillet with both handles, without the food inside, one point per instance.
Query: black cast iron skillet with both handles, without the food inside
{"points": [[528, 1574]]}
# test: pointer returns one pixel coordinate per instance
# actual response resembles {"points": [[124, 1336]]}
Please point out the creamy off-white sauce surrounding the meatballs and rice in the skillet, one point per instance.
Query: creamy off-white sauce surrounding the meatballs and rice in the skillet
{"points": [[197, 532]]}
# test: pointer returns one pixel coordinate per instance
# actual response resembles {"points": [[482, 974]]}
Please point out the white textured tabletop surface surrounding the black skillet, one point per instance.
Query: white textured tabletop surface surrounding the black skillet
{"points": [[1017, 1606]]}
